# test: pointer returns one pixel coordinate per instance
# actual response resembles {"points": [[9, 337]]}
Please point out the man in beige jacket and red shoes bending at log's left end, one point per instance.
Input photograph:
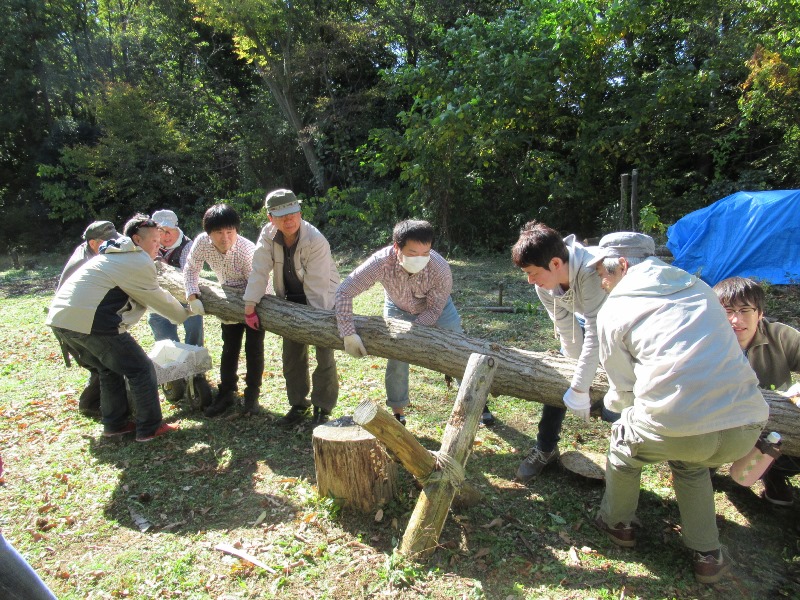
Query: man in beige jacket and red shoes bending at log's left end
{"points": [[92, 312]]}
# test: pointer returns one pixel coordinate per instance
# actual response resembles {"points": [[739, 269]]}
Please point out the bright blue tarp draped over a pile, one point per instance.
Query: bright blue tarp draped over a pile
{"points": [[749, 234]]}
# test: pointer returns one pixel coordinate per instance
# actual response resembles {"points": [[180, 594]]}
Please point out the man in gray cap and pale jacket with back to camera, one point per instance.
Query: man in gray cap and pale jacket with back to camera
{"points": [[684, 389]]}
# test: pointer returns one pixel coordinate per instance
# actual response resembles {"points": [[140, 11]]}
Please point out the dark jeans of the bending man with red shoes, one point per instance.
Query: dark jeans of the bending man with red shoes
{"points": [[117, 357]]}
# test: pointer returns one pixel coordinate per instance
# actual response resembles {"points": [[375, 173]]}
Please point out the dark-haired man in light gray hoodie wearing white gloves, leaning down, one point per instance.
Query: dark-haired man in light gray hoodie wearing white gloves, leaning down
{"points": [[570, 291]]}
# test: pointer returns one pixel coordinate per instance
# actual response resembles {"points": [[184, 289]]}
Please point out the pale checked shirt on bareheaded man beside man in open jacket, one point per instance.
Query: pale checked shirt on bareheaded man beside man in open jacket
{"points": [[232, 269]]}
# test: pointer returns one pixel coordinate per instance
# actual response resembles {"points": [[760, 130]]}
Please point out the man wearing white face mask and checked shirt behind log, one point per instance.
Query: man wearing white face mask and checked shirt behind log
{"points": [[417, 282]]}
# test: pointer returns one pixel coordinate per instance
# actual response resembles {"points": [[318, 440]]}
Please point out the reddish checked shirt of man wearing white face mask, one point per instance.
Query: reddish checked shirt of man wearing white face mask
{"points": [[424, 294]]}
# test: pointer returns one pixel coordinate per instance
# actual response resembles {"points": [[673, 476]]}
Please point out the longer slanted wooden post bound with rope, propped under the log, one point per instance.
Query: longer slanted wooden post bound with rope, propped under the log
{"points": [[426, 523]]}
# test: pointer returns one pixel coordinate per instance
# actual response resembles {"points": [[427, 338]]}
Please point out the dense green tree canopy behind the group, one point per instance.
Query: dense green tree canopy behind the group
{"points": [[476, 115]]}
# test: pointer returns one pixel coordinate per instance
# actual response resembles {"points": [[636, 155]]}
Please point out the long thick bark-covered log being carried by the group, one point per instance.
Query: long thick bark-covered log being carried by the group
{"points": [[538, 376]]}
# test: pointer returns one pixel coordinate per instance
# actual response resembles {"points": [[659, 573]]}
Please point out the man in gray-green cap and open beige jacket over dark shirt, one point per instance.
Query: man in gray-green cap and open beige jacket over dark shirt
{"points": [[303, 271]]}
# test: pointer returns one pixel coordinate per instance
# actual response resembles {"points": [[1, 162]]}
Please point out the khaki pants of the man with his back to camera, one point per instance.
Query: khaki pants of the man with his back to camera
{"points": [[689, 458]]}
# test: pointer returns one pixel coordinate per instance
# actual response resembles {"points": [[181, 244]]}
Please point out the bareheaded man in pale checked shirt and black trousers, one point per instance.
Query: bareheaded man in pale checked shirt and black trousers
{"points": [[230, 256]]}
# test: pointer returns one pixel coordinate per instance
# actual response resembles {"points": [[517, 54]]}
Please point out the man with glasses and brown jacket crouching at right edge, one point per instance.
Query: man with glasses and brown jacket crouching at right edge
{"points": [[773, 351]]}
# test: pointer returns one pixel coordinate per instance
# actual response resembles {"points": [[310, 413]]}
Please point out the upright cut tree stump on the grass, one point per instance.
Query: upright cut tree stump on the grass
{"points": [[352, 466]]}
